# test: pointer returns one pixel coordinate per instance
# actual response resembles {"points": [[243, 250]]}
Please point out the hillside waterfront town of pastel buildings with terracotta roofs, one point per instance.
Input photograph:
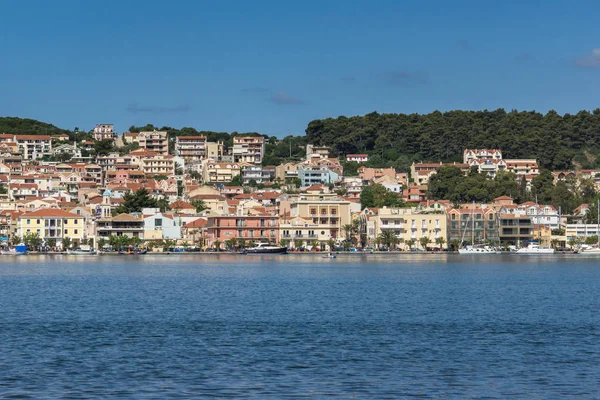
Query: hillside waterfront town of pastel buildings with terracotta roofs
{"points": [[186, 192]]}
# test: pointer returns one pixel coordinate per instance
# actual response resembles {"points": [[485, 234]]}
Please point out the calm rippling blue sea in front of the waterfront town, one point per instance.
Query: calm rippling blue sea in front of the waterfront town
{"points": [[367, 327]]}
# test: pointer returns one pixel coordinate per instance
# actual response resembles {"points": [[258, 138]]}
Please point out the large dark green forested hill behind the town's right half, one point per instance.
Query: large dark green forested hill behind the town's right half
{"points": [[399, 139]]}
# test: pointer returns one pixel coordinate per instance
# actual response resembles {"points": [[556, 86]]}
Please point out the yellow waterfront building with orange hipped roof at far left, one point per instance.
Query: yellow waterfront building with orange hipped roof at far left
{"points": [[54, 224]]}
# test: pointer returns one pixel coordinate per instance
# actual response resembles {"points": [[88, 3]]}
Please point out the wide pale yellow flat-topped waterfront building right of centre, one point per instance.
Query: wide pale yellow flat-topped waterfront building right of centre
{"points": [[409, 224]]}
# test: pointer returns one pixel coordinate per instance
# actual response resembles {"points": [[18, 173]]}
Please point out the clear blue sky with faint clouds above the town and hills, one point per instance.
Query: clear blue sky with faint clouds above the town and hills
{"points": [[273, 66]]}
